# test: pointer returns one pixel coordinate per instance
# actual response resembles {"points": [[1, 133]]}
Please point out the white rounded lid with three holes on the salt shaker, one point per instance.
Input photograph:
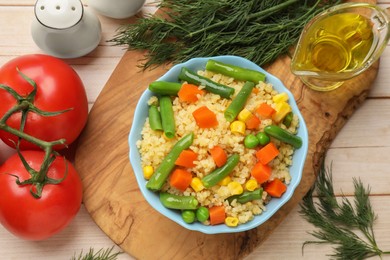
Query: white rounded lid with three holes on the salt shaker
{"points": [[59, 14]]}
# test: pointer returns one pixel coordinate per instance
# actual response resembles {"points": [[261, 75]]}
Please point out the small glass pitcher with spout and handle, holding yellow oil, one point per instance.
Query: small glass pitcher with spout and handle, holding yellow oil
{"points": [[339, 44]]}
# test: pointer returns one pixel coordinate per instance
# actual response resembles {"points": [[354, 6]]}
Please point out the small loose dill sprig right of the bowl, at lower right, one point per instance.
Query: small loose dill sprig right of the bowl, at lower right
{"points": [[338, 220]]}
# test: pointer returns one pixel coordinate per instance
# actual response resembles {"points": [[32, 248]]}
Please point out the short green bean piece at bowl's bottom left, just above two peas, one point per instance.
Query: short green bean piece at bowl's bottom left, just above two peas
{"points": [[173, 201]]}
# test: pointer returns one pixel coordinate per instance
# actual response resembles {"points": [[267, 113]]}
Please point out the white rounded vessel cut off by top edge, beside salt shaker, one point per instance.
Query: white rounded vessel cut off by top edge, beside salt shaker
{"points": [[118, 9]]}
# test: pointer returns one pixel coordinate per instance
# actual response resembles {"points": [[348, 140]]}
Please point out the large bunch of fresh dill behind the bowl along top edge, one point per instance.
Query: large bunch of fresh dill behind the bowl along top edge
{"points": [[259, 30]]}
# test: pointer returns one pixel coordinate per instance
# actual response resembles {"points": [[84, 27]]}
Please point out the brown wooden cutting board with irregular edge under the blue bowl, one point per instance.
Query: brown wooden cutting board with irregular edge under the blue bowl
{"points": [[111, 194]]}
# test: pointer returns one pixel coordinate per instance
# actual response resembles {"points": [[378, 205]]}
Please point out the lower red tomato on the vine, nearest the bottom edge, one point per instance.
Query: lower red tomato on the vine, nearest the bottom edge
{"points": [[35, 219]]}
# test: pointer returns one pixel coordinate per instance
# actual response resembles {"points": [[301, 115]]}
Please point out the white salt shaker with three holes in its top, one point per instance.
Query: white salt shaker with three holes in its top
{"points": [[64, 28]]}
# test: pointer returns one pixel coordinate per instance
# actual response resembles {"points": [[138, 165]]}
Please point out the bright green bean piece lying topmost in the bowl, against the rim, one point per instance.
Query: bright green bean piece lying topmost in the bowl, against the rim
{"points": [[235, 72]]}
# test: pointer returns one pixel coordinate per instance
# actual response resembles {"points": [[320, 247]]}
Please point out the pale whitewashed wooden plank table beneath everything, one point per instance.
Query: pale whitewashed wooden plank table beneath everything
{"points": [[361, 150]]}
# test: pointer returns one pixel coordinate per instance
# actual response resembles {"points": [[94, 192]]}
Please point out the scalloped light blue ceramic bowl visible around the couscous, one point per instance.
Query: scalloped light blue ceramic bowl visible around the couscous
{"points": [[152, 198]]}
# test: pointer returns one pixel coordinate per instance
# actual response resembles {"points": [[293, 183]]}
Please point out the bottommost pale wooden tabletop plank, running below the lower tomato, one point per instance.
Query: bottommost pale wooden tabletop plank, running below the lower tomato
{"points": [[284, 243]]}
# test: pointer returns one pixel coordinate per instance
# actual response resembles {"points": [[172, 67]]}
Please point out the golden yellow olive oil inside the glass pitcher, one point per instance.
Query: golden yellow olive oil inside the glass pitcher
{"points": [[334, 44]]}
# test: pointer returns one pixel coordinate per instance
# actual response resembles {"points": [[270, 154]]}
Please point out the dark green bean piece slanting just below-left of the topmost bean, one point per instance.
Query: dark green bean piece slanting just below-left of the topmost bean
{"points": [[210, 86]]}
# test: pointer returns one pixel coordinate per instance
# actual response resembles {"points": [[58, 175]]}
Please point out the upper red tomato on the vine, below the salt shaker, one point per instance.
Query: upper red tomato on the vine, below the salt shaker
{"points": [[58, 88]]}
